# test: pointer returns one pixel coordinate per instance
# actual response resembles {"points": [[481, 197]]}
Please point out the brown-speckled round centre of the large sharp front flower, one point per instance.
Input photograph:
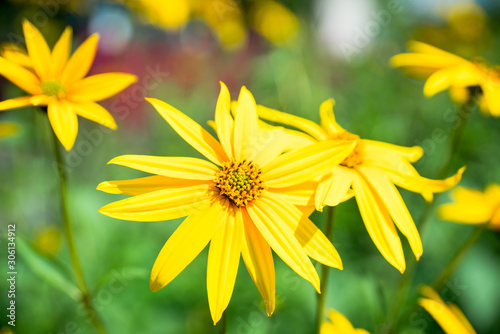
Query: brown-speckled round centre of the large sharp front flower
{"points": [[239, 181]]}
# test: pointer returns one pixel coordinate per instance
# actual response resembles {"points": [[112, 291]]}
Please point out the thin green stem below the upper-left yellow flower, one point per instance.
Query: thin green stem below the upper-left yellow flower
{"points": [[77, 268]]}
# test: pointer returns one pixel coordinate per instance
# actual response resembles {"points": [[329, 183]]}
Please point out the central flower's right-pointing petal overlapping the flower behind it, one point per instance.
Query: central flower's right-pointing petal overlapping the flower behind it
{"points": [[306, 163]]}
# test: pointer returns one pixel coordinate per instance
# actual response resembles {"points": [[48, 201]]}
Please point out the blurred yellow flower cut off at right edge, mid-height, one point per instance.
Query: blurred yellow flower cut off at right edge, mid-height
{"points": [[474, 207]]}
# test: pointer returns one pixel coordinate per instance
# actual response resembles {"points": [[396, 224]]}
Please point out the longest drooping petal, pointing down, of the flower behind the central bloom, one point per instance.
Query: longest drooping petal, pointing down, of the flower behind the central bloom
{"points": [[378, 223]]}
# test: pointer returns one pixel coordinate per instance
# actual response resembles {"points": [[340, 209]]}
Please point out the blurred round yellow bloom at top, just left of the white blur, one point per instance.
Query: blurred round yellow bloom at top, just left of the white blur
{"points": [[274, 21]]}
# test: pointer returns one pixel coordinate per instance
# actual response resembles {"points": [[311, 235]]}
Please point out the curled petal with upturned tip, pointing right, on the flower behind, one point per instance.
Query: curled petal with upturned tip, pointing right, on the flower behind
{"points": [[421, 184]]}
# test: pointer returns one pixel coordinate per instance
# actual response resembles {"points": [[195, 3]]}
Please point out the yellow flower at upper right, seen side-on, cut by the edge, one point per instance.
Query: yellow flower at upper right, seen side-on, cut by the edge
{"points": [[445, 70]]}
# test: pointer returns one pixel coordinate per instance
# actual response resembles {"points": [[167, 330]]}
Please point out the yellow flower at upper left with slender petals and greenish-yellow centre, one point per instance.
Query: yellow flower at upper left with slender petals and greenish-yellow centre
{"points": [[57, 82]]}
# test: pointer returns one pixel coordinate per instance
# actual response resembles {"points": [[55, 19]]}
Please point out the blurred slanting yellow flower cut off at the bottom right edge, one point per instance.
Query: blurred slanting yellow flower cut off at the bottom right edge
{"points": [[447, 315]]}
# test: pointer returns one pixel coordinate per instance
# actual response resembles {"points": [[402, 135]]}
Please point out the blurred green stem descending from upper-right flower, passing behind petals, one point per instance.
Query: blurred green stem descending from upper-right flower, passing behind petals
{"points": [[405, 281]]}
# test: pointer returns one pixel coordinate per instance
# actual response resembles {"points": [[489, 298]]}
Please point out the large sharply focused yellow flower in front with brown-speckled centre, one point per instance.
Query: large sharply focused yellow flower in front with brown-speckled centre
{"points": [[242, 201]]}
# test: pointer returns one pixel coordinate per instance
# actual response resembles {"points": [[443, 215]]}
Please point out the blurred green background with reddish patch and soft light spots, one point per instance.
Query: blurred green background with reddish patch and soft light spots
{"points": [[292, 55]]}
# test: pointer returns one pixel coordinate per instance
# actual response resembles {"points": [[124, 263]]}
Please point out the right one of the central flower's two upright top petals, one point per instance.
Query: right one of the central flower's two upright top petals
{"points": [[245, 127]]}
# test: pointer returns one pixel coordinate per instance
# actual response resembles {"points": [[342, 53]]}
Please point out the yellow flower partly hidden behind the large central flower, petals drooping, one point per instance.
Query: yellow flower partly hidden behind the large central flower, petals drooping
{"points": [[373, 170]]}
